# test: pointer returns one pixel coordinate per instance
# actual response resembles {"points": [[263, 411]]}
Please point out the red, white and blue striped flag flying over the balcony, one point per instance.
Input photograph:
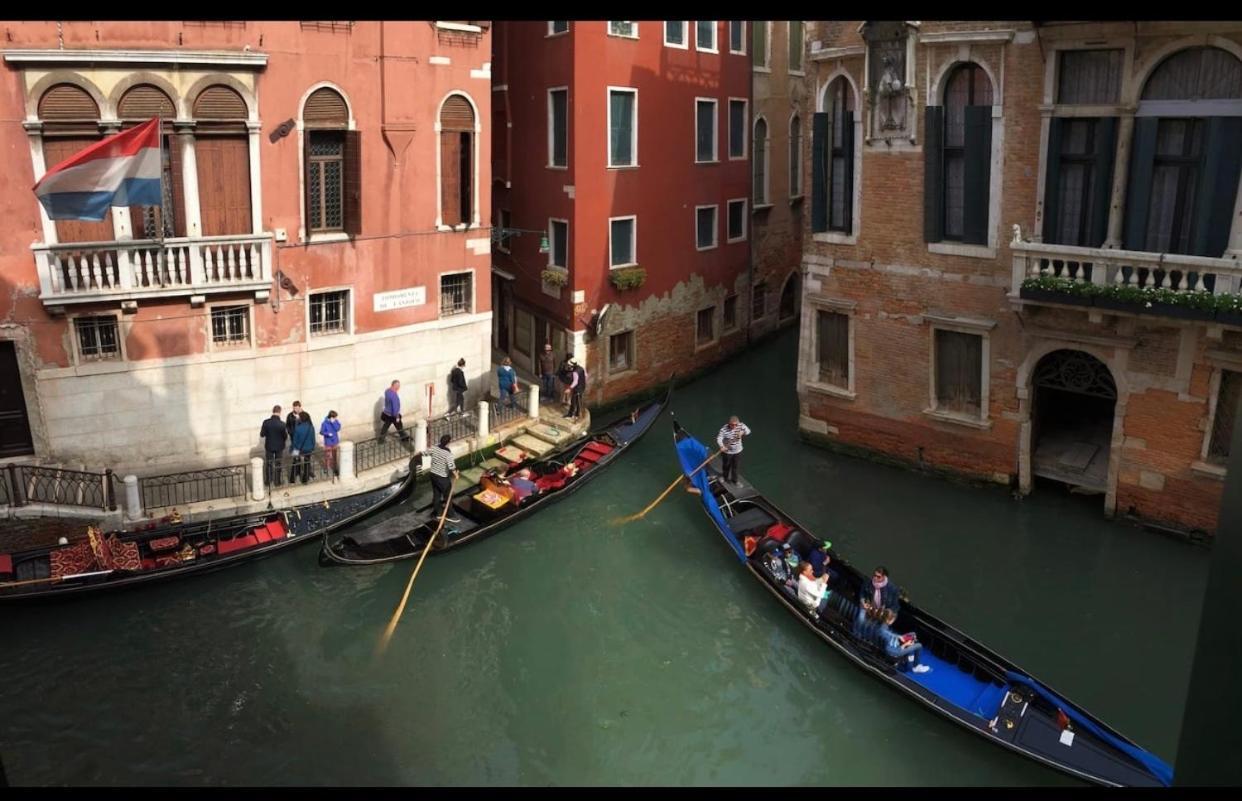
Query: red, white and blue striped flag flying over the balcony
{"points": [[121, 171]]}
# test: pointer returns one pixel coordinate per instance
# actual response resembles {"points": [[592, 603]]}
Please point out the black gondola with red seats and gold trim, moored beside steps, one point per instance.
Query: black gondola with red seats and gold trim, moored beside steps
{"points": [[557, 475]]}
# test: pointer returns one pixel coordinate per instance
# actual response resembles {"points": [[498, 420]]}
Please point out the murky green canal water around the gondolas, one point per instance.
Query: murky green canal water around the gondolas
{"points": [[567, 651]]}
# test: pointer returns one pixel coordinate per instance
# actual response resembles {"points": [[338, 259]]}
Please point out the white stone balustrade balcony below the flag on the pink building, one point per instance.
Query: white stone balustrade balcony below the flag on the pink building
{"points": [[89, 273]]}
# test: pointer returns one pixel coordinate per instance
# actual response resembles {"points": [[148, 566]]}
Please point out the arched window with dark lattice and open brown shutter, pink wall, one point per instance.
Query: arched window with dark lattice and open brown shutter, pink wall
{"points": [[333, 166]]}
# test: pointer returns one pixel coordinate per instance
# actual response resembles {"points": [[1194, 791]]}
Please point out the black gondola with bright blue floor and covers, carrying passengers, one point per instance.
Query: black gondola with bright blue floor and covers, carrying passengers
{"points": [[968, 682]]}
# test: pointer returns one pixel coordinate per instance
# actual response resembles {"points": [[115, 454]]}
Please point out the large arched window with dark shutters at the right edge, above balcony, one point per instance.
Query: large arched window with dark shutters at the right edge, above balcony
{"points": [[1188, 152]]}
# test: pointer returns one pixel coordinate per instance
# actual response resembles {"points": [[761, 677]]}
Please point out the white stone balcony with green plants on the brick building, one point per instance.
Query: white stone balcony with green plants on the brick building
{"points": [[1115, 281]]}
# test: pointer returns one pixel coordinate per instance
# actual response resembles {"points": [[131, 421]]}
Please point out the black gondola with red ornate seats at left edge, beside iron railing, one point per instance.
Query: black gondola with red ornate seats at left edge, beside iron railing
{"points": [[120, 559]]}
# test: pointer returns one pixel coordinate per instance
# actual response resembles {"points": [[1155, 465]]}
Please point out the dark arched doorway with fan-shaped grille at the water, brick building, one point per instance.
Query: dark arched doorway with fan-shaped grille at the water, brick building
{"points": [[1072, 419]]}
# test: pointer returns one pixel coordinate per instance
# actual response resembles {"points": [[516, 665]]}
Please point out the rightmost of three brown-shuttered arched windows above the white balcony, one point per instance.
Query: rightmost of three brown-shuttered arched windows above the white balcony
{"points": [[222, 150]]}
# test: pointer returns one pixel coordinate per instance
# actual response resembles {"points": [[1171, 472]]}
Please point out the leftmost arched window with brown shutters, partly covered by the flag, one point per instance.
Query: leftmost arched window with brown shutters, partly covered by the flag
{"points": [[71, 124]]}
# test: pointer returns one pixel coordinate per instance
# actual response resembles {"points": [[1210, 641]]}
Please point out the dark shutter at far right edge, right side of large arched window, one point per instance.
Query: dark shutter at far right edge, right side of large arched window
{"points": [[1214, 202]]}
